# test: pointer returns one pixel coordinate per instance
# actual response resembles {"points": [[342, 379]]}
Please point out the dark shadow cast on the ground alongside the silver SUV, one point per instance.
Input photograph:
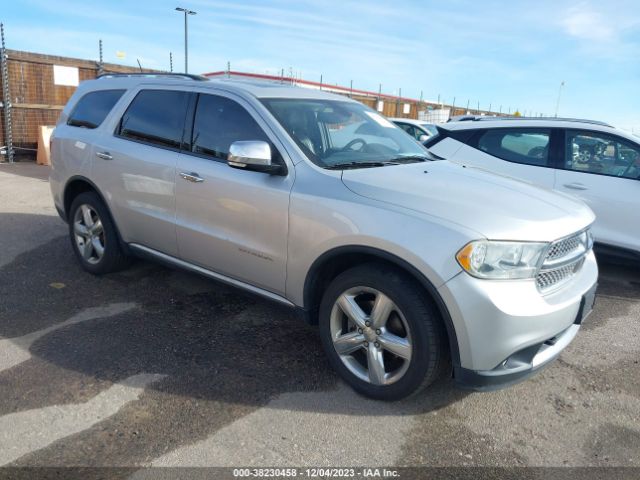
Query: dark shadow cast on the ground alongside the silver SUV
{"points": [[212, 341]]}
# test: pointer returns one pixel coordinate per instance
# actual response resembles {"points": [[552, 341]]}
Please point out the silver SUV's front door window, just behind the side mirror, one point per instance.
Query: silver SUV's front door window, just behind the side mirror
{"points": [[218, 123]]}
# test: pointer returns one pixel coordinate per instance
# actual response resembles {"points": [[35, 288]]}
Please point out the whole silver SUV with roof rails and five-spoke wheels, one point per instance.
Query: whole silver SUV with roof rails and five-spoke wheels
{"points": [[409, 264]]}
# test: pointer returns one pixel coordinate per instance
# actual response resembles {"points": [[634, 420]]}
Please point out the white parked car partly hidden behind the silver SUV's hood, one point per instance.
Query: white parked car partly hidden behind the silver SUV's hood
{"points": [[589, 160]]}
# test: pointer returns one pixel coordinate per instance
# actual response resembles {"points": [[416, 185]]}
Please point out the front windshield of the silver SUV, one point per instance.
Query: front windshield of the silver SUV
{"points": [[334, 133]]}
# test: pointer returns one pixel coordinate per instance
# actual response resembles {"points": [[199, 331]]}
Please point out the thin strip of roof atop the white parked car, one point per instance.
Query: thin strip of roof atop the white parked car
{"points": [[473, 123]]}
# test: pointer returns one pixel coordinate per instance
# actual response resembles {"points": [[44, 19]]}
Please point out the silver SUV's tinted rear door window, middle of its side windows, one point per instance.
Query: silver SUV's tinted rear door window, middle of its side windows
{"points": [[157, 117]]}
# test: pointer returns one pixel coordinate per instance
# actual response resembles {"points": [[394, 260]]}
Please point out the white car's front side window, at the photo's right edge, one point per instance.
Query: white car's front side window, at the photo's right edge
{"points": [[593, 152]]}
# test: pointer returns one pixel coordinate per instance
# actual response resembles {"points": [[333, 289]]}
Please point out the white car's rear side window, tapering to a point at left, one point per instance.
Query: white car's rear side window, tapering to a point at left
{"points": [[520, 146]]}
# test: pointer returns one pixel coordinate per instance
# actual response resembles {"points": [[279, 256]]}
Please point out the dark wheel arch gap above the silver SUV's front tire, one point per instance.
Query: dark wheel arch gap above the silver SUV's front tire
{"points": [[335, 261]]}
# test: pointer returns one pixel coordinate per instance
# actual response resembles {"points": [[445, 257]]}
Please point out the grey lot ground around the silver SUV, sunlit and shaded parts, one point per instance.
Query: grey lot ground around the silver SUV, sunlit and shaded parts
{"points": [[154, 366]]}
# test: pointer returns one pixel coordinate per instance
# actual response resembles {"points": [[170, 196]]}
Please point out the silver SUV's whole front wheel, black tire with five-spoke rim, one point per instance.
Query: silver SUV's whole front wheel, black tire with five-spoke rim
{"points": [[409, 349]]}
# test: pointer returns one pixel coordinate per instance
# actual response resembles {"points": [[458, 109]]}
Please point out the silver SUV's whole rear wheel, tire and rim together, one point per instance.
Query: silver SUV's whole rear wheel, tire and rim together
{"points": [[93, 235]]}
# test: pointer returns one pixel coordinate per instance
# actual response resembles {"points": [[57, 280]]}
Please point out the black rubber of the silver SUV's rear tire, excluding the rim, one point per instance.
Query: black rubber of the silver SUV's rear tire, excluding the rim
{"points": [[113, 259]]}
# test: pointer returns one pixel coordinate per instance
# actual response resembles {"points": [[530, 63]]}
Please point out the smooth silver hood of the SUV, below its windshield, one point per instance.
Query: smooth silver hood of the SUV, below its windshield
{"points": [[498, 208]]}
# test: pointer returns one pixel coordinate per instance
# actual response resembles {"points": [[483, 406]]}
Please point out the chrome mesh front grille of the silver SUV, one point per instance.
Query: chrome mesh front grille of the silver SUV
{"points": [[563, 260]]}
